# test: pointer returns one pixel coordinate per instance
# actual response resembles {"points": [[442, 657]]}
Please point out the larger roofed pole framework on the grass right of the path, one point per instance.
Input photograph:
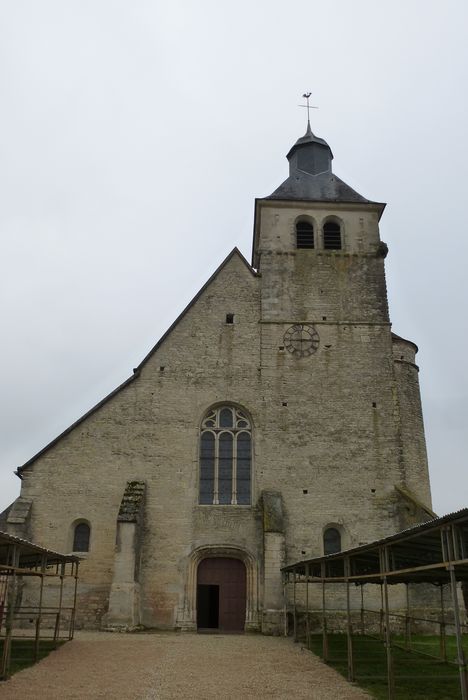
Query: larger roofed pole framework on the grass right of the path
{"points": [[434, 552]]}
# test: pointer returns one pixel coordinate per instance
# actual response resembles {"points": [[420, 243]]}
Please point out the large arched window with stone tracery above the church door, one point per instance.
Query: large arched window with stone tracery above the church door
{"points": [[225, 457]]}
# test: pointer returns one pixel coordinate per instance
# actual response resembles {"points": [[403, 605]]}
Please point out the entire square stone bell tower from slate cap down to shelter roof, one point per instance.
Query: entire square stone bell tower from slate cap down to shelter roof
{"points": [[343, 393]]}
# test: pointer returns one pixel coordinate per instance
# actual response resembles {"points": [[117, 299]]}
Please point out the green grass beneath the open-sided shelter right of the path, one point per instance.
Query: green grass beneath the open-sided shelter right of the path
{"points": [[417, 677]]}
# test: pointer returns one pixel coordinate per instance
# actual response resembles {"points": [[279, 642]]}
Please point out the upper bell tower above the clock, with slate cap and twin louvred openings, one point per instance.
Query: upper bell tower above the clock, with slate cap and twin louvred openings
{"points": [[317, 244]]}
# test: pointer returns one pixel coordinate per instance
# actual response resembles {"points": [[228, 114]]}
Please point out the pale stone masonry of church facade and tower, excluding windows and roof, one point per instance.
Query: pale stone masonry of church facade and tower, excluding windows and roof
{"points": [[327, 429]]}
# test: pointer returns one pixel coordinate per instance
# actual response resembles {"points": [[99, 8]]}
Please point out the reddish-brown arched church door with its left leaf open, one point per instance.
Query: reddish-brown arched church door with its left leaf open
{"points": [[221, 594]]}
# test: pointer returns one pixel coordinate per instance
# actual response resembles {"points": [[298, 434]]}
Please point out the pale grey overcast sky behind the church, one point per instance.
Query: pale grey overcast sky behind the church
{"points": [[134, 137]]}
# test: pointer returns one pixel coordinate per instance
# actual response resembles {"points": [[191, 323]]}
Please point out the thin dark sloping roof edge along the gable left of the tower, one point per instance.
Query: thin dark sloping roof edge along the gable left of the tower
{"points": [[137, 369]]}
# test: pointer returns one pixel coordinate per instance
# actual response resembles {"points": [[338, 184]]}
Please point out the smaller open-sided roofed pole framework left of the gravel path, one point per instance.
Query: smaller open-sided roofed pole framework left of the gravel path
{"points": [[20, 561]]}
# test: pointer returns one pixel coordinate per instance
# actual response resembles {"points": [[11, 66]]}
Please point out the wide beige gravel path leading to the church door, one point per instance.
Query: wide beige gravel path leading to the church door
{"points": [[163, 666]]}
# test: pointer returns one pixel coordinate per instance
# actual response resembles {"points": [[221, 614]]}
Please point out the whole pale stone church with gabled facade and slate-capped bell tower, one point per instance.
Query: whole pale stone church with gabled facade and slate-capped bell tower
{"points": [[278, 418]]}
